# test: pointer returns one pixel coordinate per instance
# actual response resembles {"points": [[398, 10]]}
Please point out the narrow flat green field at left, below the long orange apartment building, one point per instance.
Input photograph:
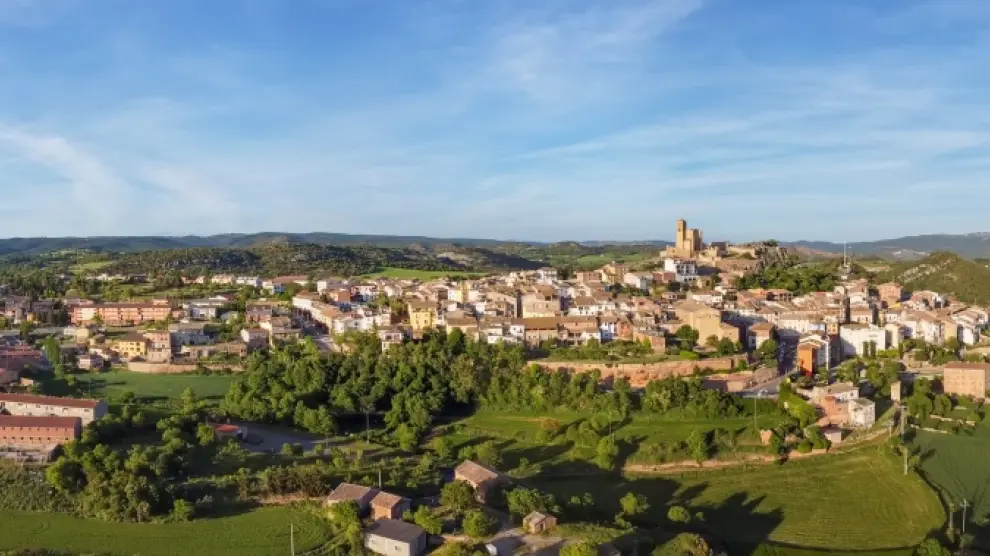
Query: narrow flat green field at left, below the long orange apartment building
{"points": [[153, 386]]}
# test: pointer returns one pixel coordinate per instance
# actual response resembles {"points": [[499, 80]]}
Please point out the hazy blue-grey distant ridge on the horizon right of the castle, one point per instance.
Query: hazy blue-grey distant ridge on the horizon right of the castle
{"points": [[910, 247]]}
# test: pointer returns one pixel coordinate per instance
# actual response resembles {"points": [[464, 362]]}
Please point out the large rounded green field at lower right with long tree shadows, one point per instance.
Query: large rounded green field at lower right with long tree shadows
{"points": [[853, 501]]}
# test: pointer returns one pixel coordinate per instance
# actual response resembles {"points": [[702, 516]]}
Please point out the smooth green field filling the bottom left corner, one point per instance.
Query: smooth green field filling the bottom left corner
{"points": [[261, 532]]}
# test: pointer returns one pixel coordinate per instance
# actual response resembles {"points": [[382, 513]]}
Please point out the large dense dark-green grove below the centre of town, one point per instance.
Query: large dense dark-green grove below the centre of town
{"points": [[410, 384]]}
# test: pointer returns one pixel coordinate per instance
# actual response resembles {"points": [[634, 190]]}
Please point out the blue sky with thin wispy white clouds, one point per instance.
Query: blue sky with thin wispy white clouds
{"points": [[510, 119]]}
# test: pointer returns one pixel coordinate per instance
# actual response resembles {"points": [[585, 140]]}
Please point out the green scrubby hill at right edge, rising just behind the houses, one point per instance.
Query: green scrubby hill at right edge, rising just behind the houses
{"points": [[944, 272]]}
